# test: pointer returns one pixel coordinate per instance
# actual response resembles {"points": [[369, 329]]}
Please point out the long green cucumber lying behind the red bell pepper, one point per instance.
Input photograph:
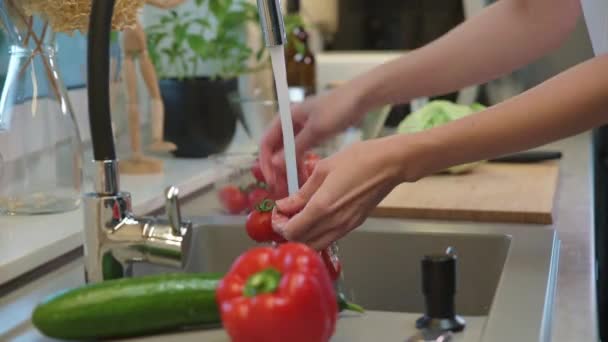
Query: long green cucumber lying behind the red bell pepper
{"points": [[136, 306]]}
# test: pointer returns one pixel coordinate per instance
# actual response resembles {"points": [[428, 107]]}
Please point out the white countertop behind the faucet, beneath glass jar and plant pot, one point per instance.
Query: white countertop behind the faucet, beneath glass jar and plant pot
{"points": [[27, 242]]}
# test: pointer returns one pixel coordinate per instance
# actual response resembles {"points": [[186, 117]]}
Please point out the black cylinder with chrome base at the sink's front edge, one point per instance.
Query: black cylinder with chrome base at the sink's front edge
{"points": [[439, 290]]}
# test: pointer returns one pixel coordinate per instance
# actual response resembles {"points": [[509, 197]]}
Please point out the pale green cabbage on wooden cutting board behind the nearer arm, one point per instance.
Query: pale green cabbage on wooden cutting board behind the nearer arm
{"points": [[437, 113]]}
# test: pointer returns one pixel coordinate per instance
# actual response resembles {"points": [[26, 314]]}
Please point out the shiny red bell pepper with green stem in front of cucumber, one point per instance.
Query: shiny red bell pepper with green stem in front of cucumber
{"points": [[278, 295]]}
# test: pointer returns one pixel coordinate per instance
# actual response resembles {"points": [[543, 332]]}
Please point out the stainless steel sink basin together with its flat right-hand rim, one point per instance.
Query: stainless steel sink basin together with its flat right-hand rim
{"points": [[505, 274]]}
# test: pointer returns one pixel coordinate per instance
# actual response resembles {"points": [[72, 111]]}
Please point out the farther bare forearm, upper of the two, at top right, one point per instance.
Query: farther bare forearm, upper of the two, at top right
{"points": [[503, 37]]}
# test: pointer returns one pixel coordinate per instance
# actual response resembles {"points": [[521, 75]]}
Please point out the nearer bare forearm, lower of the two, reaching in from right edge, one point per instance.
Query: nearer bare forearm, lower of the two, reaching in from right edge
{"points": [[568, 104]]}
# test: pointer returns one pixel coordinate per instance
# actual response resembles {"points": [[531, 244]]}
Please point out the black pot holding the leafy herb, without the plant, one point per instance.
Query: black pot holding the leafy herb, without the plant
{"points": [[199, 117]]}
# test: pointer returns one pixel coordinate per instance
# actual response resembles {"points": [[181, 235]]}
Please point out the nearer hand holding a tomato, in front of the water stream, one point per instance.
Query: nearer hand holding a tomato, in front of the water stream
{"points": [[341, 193]]}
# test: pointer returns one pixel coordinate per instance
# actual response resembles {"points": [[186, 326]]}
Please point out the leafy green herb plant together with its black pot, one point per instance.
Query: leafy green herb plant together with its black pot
{"points": [[200, 119]]}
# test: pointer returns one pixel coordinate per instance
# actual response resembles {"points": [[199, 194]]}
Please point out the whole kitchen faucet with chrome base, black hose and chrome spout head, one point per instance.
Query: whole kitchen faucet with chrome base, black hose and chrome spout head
{"points": [[114, 237]]}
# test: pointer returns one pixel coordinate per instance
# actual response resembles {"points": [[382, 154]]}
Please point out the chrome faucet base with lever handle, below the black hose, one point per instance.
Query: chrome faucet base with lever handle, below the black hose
{"points": [[115, 238]]}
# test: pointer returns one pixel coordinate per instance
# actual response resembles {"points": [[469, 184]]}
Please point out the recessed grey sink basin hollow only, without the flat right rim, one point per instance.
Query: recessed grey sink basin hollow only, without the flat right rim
{"points": [[381, 262]]}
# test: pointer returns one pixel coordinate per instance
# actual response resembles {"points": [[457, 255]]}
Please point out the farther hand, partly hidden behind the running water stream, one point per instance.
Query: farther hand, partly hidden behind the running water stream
{"points": [[314, 120]]}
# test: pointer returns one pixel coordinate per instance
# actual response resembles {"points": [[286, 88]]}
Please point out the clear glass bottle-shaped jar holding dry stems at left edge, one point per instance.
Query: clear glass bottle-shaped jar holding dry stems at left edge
{"points": [[40, 146]]}
